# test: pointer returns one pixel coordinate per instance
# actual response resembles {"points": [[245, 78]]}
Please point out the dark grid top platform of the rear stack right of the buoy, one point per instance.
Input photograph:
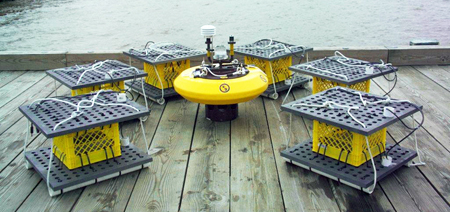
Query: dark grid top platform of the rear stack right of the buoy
{"points": [[257, 49]]}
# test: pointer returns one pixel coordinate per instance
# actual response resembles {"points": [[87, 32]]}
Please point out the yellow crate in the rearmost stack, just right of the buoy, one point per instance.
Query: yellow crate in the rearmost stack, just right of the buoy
{"points": [[280, 67]]}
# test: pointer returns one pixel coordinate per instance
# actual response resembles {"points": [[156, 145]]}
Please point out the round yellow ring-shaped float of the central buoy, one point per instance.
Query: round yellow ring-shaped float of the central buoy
{"points": [[221, 91]]}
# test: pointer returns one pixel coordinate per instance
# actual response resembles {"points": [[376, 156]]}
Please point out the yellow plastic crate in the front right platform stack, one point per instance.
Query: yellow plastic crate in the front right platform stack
{"points": [[339, 143]]}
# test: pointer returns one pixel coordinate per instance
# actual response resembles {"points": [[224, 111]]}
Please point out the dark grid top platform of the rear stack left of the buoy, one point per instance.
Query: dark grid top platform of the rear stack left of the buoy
{"points": [[177, 52]]}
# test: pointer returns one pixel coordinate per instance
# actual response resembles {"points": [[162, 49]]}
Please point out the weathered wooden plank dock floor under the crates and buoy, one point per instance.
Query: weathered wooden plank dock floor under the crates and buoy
{"points": [[231, 166]]}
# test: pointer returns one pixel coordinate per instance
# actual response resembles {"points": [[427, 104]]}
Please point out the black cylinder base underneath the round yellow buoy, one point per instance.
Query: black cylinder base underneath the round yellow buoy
{"points": [[221, 113]]}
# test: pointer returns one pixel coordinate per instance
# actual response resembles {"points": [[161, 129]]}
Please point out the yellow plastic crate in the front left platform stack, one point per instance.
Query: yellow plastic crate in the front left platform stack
{"points": [[99, 144]]}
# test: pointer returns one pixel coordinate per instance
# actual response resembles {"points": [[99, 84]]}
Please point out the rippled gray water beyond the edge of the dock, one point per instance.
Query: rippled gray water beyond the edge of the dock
{"points": [[51, 25]]}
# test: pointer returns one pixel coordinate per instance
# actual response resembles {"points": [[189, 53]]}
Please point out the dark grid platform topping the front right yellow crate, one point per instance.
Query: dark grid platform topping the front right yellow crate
{"points": [[370, 115]]}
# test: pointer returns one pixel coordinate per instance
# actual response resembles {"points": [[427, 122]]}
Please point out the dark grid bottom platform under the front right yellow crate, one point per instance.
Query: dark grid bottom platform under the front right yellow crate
{"points": [[362, 176]]}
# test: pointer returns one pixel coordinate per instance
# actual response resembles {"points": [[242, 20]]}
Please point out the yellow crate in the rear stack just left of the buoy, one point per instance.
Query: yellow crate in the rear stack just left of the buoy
{"points": [[167, 72]]}
